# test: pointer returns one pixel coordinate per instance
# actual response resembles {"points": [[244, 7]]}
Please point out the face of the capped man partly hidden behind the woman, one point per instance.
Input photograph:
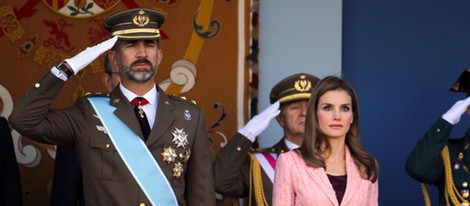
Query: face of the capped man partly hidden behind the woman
{"points": [[292, 118]]}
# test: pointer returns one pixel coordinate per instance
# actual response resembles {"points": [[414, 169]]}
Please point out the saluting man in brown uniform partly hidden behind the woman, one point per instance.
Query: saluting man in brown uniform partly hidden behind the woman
{"points": [[240, 170]]}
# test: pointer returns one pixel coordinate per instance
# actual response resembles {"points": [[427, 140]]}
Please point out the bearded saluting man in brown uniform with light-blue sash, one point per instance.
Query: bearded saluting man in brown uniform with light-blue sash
{"points": [[137, 146]]}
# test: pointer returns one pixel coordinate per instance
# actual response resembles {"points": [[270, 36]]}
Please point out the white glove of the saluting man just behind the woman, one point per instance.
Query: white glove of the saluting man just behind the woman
{"points": [[260, 122]]}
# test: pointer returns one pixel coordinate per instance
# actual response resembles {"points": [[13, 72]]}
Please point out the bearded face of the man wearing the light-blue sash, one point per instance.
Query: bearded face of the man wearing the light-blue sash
{"points": [[138, 60]]}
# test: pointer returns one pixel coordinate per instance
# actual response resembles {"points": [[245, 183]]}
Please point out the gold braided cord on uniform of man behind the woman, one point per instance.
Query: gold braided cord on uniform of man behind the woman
{"points": [[256, 182]]}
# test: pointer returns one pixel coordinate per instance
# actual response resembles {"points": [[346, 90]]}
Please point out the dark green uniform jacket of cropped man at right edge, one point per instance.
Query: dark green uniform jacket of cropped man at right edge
{"points": [[426, 165]]}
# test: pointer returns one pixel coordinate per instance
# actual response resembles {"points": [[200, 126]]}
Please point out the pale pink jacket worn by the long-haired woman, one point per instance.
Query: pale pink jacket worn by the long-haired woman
{"points": [[296, 183]]}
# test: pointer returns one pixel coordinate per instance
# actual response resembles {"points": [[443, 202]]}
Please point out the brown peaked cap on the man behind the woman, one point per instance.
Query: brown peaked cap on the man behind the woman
{"points": [[292, 88]]}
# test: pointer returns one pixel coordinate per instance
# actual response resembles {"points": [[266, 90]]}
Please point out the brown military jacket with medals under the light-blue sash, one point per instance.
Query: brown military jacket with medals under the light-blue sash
{"points": [[106, 179]]}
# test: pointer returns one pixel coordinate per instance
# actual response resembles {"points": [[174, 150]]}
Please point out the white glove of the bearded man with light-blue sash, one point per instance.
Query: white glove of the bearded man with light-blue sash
{"points": [[82, 59]]}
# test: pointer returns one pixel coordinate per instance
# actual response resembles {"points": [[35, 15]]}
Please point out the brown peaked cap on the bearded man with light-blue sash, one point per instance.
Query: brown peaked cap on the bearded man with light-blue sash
{"points": [[137, 23]]}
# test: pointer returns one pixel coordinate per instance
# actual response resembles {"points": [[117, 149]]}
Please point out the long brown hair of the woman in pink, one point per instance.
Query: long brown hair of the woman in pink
{"points": [[316, 144]]}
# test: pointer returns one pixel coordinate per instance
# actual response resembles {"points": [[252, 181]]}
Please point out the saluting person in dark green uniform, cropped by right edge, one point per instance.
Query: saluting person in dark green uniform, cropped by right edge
{"points": [[443, 161]]}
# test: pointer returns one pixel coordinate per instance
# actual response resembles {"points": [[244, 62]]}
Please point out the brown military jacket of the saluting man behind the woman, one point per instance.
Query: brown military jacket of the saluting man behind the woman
{"points": [[232, 169]]}
